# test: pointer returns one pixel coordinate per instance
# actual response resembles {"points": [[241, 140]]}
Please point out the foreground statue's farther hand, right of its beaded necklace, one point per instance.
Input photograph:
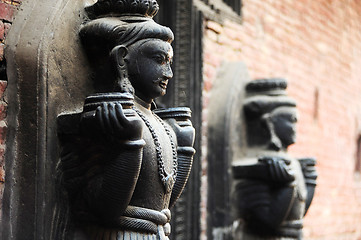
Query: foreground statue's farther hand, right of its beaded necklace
{"points": [[184, 131]]}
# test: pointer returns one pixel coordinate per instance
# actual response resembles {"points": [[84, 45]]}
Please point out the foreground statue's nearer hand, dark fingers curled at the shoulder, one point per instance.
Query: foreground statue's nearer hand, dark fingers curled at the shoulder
{"points": [[118, 123]]}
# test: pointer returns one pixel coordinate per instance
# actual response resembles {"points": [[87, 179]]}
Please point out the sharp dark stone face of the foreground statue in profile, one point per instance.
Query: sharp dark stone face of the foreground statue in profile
{"points": [[149, 68]]}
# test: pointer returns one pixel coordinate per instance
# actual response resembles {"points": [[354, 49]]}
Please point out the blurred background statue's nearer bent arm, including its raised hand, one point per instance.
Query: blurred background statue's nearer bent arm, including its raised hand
{"points": [[264, 192]]}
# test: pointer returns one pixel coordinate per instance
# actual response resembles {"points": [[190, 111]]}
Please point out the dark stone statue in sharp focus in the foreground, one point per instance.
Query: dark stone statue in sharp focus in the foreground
{"points": [[127, 162]]}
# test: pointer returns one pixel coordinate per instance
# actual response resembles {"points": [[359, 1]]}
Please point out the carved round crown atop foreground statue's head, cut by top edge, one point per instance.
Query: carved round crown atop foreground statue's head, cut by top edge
{"points": [[146, 8]]}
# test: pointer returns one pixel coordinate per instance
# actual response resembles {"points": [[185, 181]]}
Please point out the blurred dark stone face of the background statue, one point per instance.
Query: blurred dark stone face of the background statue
{"points": [[284, 120]]}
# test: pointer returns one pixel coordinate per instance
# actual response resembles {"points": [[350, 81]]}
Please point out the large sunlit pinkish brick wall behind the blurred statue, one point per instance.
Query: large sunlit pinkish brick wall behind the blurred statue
{"points": [[316, 45]]}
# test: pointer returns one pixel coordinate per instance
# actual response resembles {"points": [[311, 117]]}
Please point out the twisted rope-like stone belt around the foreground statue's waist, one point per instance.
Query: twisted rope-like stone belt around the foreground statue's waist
{"points": [[146, 220]]}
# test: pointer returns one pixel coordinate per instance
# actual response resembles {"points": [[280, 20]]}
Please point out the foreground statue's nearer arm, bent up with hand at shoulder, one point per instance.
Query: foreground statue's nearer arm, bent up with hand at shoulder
{"points": [[120, 133]]}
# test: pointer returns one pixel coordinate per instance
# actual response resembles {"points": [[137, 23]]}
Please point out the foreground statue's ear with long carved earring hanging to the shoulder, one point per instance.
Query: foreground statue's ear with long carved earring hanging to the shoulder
{"points": [[122, 83]]}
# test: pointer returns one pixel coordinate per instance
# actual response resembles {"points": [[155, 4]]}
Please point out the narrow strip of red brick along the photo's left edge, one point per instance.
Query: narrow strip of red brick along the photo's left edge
{"points": [[7, 11]]}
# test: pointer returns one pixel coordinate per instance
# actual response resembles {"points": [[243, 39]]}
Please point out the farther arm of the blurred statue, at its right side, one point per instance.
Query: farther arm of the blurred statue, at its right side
{"points": [[310, 176]]}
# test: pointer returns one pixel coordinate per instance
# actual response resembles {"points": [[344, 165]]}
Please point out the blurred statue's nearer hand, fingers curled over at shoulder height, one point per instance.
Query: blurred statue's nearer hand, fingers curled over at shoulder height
{"points": [[279, 169]]}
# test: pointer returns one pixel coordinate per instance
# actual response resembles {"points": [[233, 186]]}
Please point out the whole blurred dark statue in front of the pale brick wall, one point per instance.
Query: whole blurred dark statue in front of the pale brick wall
{"points": [[272, 190]]}
